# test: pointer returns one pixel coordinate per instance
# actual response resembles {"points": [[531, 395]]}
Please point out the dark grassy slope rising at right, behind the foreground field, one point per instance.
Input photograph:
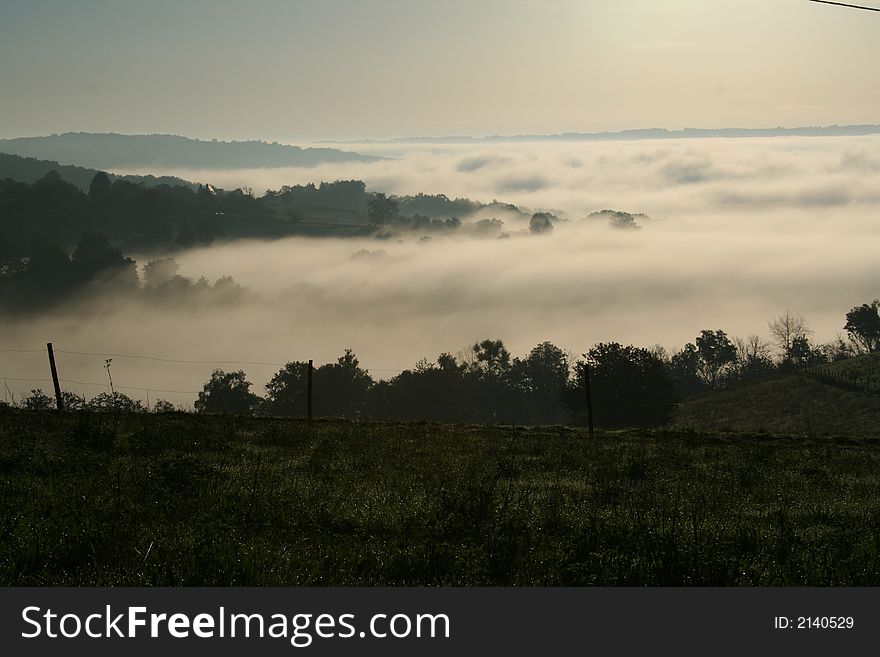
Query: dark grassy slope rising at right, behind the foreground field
{"points": [[841, 398]]}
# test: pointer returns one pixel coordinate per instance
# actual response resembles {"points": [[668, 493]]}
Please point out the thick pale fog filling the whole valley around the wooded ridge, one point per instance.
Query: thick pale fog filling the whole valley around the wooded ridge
{"points": [[739, 231]]}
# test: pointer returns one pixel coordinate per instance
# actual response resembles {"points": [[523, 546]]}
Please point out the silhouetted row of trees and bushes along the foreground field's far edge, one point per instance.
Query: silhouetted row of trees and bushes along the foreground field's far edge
{"points": [[631, 386]]}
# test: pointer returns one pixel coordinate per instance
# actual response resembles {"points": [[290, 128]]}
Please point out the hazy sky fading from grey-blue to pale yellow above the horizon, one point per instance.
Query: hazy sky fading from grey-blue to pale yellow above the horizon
{"points": [[307, 69]]}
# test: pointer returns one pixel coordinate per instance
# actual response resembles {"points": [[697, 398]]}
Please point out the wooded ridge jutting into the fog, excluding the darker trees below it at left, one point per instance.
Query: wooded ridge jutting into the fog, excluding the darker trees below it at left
{"points": [[169, 217]]}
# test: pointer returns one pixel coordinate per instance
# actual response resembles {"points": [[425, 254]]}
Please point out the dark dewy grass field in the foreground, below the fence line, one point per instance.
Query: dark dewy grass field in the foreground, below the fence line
{"points": [[189, 500]]}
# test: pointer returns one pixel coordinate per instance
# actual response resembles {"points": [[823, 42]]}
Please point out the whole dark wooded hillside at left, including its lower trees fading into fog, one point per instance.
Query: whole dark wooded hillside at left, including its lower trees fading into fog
{"points": [[57, 240]]}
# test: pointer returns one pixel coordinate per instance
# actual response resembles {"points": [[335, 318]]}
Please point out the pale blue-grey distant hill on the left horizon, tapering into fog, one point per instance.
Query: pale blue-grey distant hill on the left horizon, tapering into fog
{"points": [[112, 151]]}
